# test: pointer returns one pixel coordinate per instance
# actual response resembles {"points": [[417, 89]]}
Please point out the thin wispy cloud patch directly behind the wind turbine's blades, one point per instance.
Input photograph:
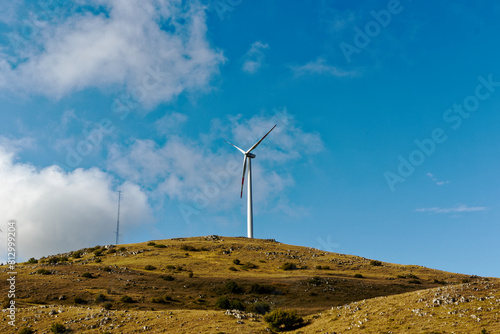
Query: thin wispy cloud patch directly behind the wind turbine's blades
{"points": [[206, 173]]}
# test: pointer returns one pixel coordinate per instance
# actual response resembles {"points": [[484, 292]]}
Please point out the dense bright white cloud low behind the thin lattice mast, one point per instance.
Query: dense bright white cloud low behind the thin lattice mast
{"points": [[58, 211]]}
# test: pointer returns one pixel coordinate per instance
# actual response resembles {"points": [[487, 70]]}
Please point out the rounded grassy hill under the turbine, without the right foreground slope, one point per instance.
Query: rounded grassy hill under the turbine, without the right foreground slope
{"points": [[159, 279]]}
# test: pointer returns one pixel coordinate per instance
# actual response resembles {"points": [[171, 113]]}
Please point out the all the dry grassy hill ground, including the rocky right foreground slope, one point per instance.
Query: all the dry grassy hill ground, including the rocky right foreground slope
{"points": [[185, 286]]}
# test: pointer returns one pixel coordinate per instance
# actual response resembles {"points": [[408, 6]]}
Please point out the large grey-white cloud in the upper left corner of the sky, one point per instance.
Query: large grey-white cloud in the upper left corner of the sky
{"points": [[127, 47]]}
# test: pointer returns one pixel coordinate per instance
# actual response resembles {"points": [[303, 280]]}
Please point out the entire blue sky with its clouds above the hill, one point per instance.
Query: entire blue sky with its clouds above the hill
{"points": [[386, 113]]}
